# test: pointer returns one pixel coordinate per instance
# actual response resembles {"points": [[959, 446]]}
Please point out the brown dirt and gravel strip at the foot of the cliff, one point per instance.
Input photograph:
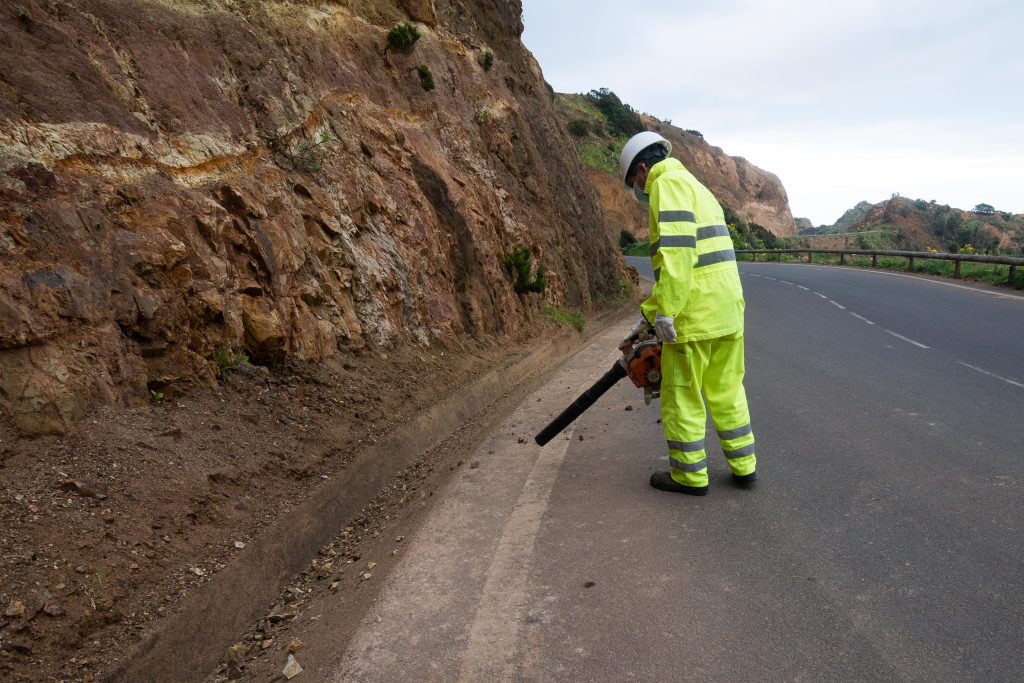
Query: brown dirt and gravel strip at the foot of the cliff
{"points": [[108, 530]]}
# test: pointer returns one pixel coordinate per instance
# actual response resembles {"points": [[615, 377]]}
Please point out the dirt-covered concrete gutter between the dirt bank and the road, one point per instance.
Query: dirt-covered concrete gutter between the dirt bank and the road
{"points": [[190, 644]]}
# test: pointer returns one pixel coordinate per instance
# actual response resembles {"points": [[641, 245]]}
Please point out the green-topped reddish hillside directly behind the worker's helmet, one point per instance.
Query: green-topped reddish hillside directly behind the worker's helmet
{"points": [[601, 124]]}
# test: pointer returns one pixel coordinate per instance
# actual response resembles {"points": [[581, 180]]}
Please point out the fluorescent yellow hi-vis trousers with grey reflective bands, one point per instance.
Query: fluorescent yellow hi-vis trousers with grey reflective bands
{"points": [[716, 367]]}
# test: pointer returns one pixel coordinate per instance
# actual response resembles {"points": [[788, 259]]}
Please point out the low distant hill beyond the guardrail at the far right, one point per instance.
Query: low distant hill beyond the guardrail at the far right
{"points": [[919, 226]]}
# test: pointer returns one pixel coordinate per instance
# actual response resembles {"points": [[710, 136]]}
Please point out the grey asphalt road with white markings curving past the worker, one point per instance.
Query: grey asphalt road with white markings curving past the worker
{"points": [[885, 542]]}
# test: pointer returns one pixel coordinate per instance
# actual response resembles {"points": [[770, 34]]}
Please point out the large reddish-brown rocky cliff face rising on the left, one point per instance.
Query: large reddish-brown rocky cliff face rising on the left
{"points": [[183, 178]]}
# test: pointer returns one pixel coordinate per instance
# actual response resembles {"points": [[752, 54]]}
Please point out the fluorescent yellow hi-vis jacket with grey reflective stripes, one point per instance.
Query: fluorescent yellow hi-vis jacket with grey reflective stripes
{"points": [[696, 277]]}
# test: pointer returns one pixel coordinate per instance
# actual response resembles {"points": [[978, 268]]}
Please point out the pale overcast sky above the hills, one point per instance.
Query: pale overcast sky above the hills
{"points": [[845, 102]]}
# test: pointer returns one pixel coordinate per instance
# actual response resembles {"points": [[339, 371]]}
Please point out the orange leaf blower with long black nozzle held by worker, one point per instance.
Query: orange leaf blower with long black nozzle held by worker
{"points": [[642, 362]]}
